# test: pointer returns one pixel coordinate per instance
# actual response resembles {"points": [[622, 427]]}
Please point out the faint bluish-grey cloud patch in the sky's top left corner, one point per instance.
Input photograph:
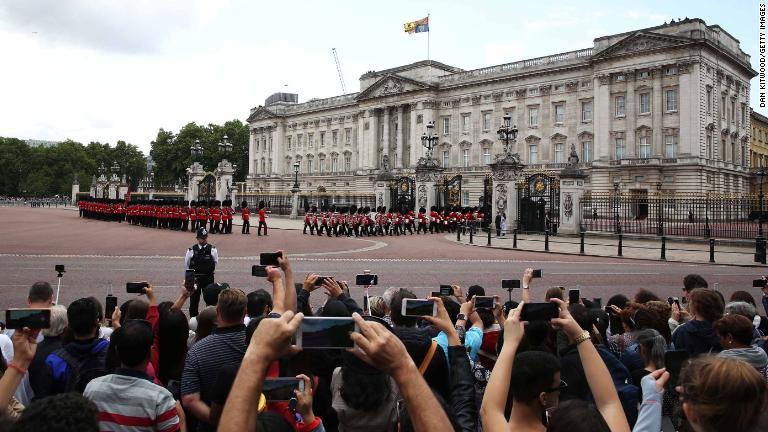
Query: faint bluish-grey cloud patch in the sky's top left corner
{"points": [[138, 26]]}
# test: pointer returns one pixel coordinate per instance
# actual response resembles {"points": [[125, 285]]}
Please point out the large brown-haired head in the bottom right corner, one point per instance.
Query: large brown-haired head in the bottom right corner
{"points": [[722, 394]]}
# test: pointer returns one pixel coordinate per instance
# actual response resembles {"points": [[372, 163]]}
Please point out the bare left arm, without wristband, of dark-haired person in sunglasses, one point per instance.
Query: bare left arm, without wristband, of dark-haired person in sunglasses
{"points": [[495, 398]]}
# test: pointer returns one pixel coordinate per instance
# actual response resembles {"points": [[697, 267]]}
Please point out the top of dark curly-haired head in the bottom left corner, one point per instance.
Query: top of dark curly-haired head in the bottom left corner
{"points": [[66, 412]]}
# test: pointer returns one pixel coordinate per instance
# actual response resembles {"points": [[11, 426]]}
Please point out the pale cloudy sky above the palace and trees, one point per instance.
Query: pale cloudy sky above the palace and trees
{"points": [[105, 70]]}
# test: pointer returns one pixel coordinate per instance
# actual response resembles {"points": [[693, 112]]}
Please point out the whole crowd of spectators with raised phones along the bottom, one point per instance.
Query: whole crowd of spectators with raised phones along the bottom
{"points": [[645, 364]]}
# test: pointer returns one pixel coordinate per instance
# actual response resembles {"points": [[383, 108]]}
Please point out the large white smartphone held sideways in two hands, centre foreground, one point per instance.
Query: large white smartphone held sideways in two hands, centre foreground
{"points": [[326, 333]]}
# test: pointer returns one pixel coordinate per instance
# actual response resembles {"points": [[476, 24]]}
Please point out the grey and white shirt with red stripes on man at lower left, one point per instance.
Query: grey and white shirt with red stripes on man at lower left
{"points": [[128, 401]]}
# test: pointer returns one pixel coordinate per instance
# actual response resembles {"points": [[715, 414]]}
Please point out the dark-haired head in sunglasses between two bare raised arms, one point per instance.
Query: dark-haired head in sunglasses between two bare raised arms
{"points": [[535, 380]]}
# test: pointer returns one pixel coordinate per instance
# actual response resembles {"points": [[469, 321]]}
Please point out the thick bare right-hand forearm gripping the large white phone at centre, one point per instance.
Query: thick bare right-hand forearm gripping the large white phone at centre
{"points": [[382, 349]]}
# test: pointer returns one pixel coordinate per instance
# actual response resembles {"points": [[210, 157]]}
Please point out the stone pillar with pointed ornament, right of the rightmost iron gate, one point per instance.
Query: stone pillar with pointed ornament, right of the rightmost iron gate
{"points": [[571, 191]]}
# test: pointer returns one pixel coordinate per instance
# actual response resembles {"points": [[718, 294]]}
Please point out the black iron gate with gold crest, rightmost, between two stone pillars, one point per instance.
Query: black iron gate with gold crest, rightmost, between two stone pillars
{"points": [[538, 207]]}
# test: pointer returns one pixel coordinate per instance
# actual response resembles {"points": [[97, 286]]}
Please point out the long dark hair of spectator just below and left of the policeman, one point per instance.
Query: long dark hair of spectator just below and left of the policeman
{"points": [[172, 336]]}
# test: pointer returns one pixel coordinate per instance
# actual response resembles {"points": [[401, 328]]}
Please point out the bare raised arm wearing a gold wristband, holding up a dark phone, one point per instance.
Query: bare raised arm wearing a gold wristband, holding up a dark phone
{"points": [[599, 379]]}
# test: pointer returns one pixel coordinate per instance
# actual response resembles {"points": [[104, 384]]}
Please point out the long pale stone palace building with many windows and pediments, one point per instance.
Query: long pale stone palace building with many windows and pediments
{"points": [[664, 108]]}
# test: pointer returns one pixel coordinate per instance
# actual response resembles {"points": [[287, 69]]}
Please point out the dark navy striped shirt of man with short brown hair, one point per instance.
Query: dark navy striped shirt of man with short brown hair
{"points": [[205, 358]]}
